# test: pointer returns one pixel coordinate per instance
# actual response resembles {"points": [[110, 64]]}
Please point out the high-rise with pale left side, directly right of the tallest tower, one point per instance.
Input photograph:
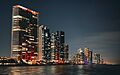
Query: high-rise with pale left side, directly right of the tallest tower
{"points": [[44, 44]]}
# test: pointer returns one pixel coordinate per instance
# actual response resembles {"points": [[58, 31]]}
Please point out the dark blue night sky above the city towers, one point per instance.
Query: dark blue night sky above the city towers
{"points": [[87, 23]]}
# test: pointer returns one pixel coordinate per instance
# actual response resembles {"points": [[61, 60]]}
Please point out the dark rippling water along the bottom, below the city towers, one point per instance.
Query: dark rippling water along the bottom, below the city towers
{"points": [[61, 70]]}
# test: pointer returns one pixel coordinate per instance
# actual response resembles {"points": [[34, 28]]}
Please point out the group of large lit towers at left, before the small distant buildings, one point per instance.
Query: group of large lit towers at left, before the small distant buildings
{"points": [[33, 42]]}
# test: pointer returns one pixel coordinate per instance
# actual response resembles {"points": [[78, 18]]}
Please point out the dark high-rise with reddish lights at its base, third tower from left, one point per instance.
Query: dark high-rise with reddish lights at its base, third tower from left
{"points": [[58, 47]]}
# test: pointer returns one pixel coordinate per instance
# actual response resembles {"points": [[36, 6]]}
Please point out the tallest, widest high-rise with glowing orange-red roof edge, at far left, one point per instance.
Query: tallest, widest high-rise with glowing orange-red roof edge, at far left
{"points": [[24, 33]]}
